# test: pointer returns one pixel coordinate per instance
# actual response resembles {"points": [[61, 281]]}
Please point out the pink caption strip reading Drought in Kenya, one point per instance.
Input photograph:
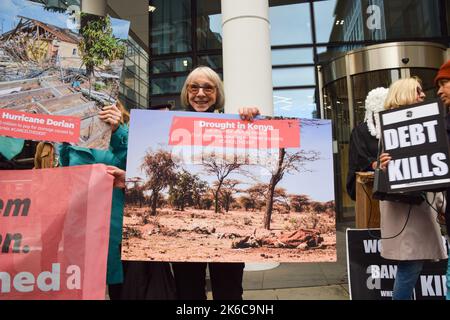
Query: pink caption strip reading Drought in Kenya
{"points": [[258, 134]]}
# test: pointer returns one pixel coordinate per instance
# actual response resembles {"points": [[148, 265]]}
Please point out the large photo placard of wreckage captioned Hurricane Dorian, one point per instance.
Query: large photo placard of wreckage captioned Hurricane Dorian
{"points": [[57, 71]]}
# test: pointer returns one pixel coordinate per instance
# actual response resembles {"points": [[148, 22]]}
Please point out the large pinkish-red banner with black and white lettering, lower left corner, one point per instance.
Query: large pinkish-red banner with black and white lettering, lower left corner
{"points": [[54, 233]]}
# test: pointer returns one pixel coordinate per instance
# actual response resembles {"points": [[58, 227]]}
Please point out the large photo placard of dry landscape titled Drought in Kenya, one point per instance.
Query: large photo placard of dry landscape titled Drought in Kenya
{"points": [[210, 187]]}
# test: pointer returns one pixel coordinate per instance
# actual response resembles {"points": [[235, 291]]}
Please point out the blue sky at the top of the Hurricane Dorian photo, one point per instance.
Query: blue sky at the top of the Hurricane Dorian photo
{"points": [[10, 9]]}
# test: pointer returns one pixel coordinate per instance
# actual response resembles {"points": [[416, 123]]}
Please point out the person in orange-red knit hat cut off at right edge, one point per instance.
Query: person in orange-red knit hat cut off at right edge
{"points": [[442, 81]]}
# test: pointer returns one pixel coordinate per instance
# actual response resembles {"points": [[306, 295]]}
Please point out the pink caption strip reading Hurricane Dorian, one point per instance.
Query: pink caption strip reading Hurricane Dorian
{"points": [[18, 124]]}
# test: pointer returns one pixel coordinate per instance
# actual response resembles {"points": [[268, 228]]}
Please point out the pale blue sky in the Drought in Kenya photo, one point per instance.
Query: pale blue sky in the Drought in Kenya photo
{"points": [[151, 129]]}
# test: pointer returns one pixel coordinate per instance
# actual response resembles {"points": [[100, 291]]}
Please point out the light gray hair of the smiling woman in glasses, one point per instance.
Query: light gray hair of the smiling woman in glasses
{"points": [[213, 77]]}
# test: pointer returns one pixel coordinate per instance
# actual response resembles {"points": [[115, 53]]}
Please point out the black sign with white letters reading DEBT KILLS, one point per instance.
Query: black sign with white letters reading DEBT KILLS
{"points": [[416, 139]]}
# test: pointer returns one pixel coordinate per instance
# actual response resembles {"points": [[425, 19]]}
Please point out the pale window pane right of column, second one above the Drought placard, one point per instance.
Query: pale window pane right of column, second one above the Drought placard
{"points": [[293, 76]]}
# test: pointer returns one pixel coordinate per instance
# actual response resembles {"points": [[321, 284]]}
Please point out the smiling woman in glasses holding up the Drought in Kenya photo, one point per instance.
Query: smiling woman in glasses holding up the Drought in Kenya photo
{"points": [[203, 92]]}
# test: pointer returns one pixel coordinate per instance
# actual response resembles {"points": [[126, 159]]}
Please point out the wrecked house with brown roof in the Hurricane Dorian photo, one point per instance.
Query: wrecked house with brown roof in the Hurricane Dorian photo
{"points": [[33, 40]]}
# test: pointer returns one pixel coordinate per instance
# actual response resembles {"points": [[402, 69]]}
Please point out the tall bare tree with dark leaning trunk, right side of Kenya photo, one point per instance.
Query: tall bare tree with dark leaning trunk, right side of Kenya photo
{"points": [[295, 162]]}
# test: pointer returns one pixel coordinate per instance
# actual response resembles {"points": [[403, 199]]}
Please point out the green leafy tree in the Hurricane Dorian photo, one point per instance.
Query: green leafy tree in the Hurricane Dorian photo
{"points": [[98, 43]]}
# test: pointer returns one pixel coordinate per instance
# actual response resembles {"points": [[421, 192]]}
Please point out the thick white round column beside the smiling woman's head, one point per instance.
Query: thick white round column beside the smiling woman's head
{"points": [[247, 63]]}
